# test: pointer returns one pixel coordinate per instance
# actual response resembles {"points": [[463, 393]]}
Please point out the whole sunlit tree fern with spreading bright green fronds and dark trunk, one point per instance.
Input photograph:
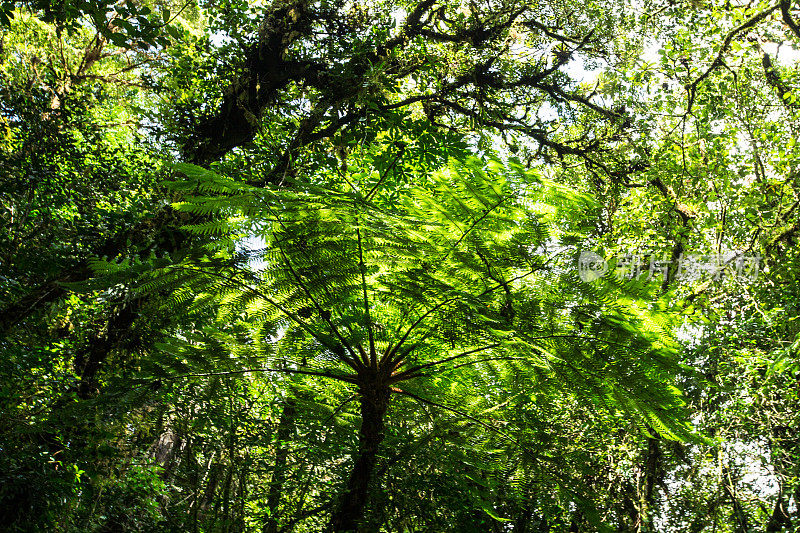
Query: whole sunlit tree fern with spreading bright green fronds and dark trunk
{"points": [[459, 294]]}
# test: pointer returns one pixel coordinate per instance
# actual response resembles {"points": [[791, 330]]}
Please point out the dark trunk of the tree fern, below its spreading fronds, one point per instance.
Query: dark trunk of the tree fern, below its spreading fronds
{"points": [[352, 507]]}
